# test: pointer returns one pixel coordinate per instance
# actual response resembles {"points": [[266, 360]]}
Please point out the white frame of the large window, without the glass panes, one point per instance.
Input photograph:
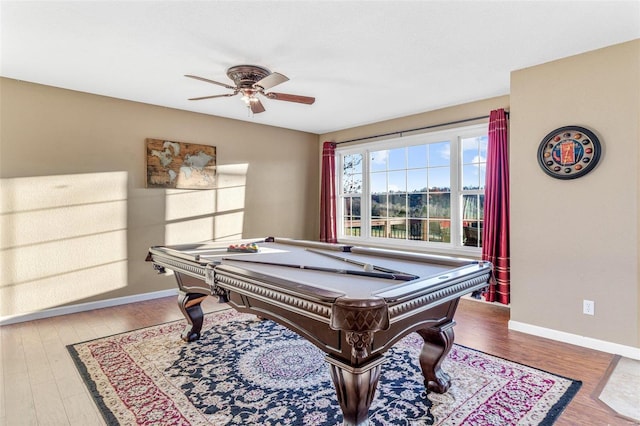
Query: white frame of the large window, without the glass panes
{"points": [[454, 136]]}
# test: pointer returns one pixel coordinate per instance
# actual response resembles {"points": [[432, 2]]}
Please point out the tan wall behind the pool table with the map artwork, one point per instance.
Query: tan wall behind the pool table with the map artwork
{"points": [[76, 216]]}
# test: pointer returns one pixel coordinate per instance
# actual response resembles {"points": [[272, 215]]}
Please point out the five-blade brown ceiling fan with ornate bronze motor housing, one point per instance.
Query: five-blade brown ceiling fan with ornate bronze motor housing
{"points": [[251, 80]]}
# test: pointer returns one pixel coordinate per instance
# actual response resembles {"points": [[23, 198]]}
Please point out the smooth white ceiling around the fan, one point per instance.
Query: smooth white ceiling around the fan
{"points": [[364, 61]]}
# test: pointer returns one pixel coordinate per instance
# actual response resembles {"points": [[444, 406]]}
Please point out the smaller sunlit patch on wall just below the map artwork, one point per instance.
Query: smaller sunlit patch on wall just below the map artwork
{"points": [[200, 215]]}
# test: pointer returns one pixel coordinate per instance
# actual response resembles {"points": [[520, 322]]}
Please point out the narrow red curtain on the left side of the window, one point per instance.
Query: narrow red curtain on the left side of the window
{"points": [[328, 227]]}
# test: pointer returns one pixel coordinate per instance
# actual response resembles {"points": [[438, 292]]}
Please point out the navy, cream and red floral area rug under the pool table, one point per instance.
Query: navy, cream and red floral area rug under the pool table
{"points": [[245, 371]]}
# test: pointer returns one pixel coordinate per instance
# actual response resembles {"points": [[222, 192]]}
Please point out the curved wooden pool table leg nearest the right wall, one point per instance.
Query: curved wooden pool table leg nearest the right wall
{"points": [[437, 344]]}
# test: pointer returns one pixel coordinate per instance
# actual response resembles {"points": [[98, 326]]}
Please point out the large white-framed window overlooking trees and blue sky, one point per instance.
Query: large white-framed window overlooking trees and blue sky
{"points": [[423, 189]]}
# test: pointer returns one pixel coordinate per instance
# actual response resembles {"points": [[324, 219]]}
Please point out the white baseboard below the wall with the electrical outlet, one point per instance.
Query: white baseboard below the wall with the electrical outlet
{"points": [[574, 339]]}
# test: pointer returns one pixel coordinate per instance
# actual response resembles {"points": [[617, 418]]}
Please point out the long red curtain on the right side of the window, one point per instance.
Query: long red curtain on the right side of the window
{"points": [[495, 236]]}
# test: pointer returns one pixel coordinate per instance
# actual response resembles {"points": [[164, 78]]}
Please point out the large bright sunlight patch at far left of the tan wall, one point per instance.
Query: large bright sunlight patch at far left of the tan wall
{"points": [[62, 239]]}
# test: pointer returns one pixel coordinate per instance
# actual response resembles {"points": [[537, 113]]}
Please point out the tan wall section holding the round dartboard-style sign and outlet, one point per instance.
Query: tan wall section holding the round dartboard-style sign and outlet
{"points": [[577, 239]]}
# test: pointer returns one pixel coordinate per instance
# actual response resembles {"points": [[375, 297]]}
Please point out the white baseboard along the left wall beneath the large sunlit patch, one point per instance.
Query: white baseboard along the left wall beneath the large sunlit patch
{"points": [[82, 307]]}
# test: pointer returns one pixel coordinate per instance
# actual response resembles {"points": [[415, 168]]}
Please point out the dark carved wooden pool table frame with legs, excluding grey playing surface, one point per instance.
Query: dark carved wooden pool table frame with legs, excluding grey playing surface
{"points": [[354, 333]]}
